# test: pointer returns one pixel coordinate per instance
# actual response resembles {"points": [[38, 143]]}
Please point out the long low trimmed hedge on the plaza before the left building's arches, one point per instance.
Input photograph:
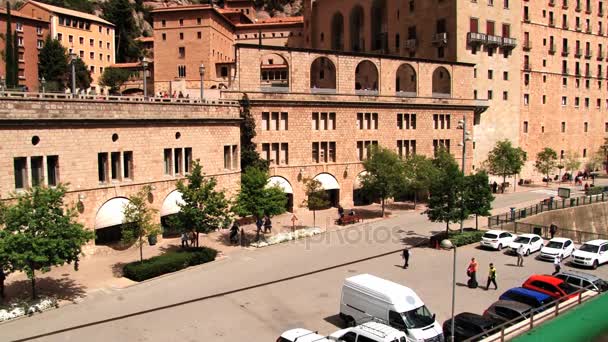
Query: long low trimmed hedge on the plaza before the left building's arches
{"points": [[169, 262]]}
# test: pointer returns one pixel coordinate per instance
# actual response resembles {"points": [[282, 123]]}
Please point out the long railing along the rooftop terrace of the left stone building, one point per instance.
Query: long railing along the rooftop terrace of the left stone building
{"points": [[110, 98]]}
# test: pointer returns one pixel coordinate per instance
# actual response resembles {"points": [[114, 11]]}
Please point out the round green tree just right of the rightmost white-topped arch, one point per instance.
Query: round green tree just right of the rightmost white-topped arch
{"points": [[384, 176]]}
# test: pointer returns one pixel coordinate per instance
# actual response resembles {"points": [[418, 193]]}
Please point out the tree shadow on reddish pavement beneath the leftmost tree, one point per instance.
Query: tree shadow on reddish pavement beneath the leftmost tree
{"points": [[61, 289]]}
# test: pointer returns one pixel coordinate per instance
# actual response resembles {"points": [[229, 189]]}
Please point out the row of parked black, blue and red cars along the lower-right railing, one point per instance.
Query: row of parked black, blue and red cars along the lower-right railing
{"points": [[537, 293]]}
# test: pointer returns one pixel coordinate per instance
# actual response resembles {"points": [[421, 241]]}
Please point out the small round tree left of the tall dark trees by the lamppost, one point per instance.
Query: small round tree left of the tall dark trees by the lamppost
{"points": [[419, 172]]}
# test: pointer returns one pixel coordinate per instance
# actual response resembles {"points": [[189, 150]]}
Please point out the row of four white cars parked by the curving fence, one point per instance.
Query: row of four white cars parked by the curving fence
{"points": [[591, 254]]}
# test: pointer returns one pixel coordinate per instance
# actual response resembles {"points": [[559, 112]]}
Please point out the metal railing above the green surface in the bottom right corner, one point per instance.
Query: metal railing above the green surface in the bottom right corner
{"points": [[516, 326]]}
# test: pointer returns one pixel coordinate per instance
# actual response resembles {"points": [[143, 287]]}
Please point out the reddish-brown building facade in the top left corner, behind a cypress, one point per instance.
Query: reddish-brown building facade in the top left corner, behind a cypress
{"points": [[31, 33]]}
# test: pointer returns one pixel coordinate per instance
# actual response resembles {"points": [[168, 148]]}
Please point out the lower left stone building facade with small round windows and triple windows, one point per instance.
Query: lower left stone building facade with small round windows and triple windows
{"points": [[108, 150]]}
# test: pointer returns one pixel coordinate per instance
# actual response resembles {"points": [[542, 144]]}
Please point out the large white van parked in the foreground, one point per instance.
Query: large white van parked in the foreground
{"points": [[365, 296]]}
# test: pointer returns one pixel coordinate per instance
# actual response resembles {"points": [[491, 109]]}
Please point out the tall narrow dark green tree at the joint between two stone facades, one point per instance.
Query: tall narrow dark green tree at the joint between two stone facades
{"points": [[249, 155]]}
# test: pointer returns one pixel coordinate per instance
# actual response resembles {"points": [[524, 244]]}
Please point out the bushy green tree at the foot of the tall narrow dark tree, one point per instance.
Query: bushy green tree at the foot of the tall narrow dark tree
{"points": [[256, 198]]}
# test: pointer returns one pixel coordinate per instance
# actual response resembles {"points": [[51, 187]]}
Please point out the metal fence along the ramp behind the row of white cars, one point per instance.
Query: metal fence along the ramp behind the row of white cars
{"points": [[543, 206]]}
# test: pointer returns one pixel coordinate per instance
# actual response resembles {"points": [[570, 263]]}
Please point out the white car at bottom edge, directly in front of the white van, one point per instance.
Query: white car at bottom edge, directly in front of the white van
{"points": [[370, 331]]}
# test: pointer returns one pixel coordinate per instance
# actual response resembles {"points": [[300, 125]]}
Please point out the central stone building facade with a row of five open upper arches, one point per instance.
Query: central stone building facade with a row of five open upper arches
{"points": [[315, 122]]}
